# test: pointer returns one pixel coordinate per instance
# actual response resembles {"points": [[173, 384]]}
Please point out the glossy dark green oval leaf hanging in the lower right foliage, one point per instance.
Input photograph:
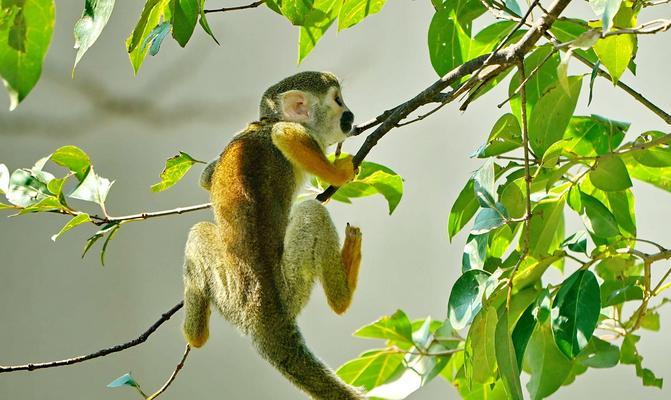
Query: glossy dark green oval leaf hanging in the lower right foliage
{"points": [[577, 305]]}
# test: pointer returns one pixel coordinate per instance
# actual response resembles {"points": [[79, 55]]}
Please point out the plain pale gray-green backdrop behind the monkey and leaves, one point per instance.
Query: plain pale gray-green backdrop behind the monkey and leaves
{"points": [[54, 305]]}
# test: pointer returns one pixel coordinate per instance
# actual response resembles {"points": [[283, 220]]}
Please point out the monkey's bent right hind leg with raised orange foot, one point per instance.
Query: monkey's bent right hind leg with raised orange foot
{"points": [[312, 249]]}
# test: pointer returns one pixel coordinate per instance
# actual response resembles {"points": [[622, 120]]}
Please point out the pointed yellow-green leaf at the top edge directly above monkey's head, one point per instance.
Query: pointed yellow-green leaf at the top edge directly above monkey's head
{"points": [[318, 21]]}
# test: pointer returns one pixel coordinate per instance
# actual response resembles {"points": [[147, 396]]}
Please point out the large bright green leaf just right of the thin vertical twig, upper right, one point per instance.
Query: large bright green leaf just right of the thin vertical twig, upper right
{"points": [[551, 115]]}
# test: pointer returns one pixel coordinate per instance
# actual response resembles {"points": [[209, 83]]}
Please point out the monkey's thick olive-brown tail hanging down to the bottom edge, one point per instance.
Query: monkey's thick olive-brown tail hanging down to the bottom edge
{"points": [[283, 346]]}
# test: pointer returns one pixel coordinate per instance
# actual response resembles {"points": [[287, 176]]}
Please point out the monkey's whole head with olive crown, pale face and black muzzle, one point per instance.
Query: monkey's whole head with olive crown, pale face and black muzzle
{"points": [[313, 99]]}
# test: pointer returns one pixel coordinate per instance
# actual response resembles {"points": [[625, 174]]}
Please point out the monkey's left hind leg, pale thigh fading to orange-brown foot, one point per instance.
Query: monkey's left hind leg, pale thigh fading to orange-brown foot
{"points": [[200, 246]]}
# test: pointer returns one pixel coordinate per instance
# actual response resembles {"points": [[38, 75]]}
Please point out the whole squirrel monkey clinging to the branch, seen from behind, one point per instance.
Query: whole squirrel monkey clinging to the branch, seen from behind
{"points": [[258, 263]]}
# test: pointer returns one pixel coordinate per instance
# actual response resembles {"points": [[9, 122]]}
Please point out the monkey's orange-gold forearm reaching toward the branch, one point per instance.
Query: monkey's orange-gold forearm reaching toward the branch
{"points": [[302, 150]]}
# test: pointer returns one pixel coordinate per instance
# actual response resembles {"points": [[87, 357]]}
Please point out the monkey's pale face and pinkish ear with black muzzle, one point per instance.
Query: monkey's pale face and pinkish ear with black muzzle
{"points": [[326, 115]]}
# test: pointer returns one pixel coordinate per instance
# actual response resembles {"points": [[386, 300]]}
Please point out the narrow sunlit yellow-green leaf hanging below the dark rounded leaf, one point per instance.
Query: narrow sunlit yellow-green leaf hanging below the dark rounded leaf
{"points": [[480, 348]]}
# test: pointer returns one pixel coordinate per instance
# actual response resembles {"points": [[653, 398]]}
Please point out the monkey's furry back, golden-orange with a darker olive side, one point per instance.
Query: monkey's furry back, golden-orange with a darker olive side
{"points": [[252, 191]]}
